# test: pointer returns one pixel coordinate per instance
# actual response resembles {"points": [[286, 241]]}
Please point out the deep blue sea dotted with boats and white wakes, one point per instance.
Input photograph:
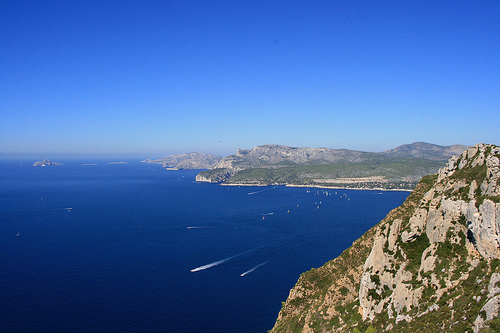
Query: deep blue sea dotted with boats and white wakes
{"points": [[133, 247]]}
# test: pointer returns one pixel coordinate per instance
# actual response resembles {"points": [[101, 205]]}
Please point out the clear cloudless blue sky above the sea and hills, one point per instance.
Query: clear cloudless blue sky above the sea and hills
{"points": [[153, 78]]}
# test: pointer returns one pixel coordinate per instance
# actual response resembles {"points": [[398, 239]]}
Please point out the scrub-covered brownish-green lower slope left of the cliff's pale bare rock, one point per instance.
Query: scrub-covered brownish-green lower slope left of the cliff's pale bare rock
{"points": [[330, 291]]}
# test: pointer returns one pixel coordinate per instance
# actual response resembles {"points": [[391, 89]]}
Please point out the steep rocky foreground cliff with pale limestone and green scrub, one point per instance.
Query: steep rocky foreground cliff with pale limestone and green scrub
{"points": [[432, 264]]}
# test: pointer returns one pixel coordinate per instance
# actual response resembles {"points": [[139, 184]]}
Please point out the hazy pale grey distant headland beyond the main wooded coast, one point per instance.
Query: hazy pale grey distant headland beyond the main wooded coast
{"points": [[187, 161]]}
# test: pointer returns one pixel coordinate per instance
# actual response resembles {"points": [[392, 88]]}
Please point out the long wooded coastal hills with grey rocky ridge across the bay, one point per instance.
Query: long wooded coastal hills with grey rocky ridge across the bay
{"points": [[399, 168]]}
